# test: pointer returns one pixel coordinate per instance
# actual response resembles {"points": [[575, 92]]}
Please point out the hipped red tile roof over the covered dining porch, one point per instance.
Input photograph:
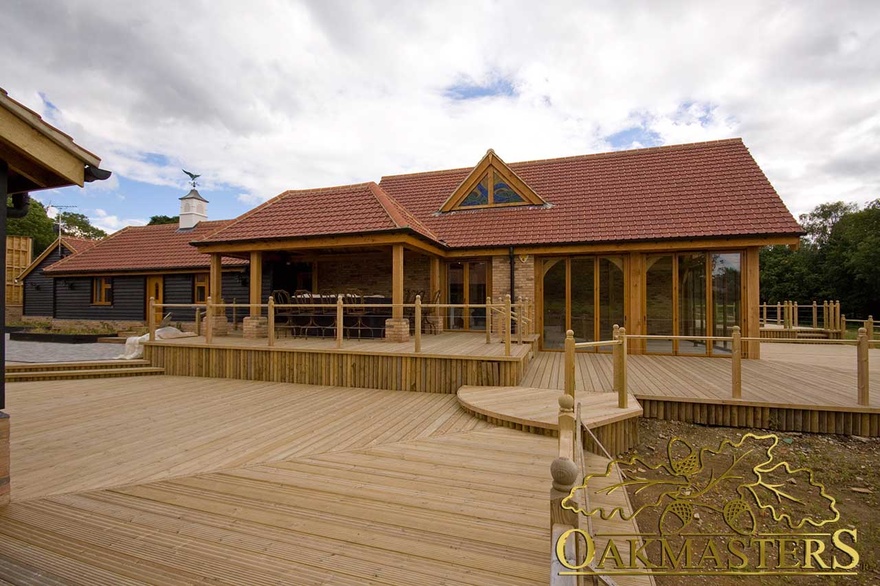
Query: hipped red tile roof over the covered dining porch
{"points": [[346, 209]]}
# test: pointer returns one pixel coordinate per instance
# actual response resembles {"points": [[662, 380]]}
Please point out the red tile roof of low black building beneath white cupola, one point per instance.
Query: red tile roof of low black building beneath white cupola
{"points": [[144, 248]]}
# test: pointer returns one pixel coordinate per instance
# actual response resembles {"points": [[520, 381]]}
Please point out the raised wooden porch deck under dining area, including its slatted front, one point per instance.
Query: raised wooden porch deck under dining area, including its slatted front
{"points": [[447, 361]]}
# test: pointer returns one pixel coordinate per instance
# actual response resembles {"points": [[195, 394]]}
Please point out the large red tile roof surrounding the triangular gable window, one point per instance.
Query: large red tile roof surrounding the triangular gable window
{"points": [[710, 189]]}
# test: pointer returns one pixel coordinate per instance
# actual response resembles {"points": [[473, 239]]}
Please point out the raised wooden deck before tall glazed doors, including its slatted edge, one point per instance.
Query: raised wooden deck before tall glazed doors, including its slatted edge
{"points": [[793, 387]]}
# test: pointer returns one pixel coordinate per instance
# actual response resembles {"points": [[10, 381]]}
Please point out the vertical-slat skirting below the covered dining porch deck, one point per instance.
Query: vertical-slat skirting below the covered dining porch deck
{"points": [[396, 372]]}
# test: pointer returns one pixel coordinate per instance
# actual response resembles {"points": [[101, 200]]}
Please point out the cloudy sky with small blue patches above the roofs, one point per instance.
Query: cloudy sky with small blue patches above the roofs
{"points": [[263, 96]]}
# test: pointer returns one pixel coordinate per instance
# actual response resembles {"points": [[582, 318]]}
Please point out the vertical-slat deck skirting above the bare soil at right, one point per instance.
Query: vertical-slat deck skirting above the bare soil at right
{"points": [[812, 419]]}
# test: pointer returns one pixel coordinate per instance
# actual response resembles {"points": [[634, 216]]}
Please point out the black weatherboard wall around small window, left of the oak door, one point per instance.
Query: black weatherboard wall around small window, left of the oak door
{"points": [[73, 299]]}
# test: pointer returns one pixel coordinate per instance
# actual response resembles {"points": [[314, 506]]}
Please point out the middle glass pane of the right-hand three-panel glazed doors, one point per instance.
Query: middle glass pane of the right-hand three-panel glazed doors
{"points": [[692, 302]]}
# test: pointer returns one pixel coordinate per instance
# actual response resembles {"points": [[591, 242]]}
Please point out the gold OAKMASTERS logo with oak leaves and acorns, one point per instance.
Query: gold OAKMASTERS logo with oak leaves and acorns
{"points": [[733, 510]]}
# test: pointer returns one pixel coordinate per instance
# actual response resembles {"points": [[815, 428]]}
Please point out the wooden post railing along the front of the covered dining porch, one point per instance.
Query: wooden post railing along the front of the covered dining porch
{"points": [[517, 316]]}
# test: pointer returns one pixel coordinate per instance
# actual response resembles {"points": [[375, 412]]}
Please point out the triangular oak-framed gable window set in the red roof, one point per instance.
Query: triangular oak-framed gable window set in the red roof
{"points": [[491, 184]]}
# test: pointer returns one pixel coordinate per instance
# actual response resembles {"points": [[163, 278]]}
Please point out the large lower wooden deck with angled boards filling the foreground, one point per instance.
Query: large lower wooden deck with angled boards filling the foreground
{"points": [[171, 480]]}
